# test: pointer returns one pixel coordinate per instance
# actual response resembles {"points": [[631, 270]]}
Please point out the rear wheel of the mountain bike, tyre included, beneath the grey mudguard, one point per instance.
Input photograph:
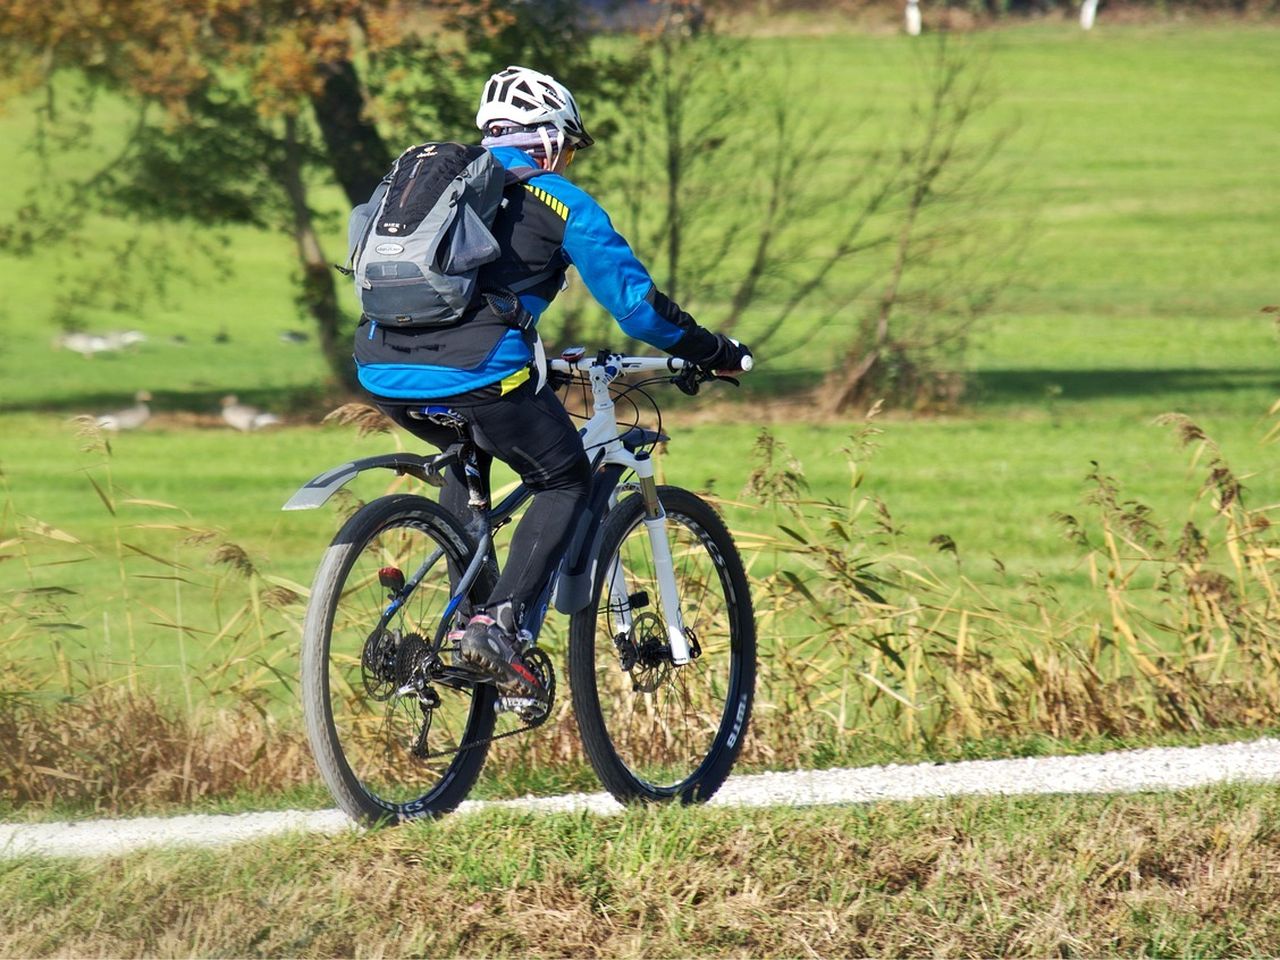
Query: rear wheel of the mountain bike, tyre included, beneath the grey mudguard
{"points": [[386, 720]]}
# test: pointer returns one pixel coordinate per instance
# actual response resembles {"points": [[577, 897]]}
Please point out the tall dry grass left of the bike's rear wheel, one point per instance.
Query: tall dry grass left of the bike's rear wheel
{"points": [[84, 720]]}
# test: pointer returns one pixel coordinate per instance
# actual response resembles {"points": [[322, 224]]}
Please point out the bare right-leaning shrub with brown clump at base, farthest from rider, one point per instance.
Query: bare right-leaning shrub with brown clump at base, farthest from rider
{"points": [[950, 259]]}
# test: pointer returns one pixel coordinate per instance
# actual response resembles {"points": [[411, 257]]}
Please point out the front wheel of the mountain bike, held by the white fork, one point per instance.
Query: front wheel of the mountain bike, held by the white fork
{"points": [[652, 729]]}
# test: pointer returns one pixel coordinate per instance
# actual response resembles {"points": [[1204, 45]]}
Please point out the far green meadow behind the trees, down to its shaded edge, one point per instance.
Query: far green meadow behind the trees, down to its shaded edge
{"points": [[1144, 149]]}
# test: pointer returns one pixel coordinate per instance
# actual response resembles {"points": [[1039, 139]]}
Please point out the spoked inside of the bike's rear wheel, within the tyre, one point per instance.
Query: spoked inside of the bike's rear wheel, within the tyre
{"points": [[381, 730]]}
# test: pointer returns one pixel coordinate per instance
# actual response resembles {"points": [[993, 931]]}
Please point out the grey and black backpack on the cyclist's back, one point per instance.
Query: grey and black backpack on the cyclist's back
{"points": [[419, 243]]}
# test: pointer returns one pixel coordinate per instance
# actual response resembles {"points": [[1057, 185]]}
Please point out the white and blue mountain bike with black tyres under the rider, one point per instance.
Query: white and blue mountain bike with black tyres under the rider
{"points": [[661, 638]]}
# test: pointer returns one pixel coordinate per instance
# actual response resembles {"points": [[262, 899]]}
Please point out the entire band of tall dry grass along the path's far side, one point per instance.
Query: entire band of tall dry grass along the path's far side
{"points": [[861, 642]]}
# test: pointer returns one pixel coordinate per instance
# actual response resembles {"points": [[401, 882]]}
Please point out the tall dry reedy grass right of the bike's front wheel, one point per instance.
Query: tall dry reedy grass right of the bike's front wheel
{"points": [[1177, 633]]}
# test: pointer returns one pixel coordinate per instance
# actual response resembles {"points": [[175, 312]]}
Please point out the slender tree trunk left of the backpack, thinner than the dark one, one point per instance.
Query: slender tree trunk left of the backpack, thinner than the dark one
{"points": [[318, 292]]}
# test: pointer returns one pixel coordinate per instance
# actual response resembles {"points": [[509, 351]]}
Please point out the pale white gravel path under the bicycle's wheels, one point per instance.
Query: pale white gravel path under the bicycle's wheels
{"points": [[1124, 771]]}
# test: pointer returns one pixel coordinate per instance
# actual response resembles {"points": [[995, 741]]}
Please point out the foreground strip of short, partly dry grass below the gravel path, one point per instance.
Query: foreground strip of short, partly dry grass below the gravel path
{"points": [[1176, 875]]}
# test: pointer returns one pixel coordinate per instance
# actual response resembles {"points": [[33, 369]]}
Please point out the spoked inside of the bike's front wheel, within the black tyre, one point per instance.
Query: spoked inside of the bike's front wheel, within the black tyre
{"points": [[664, 721]]}
